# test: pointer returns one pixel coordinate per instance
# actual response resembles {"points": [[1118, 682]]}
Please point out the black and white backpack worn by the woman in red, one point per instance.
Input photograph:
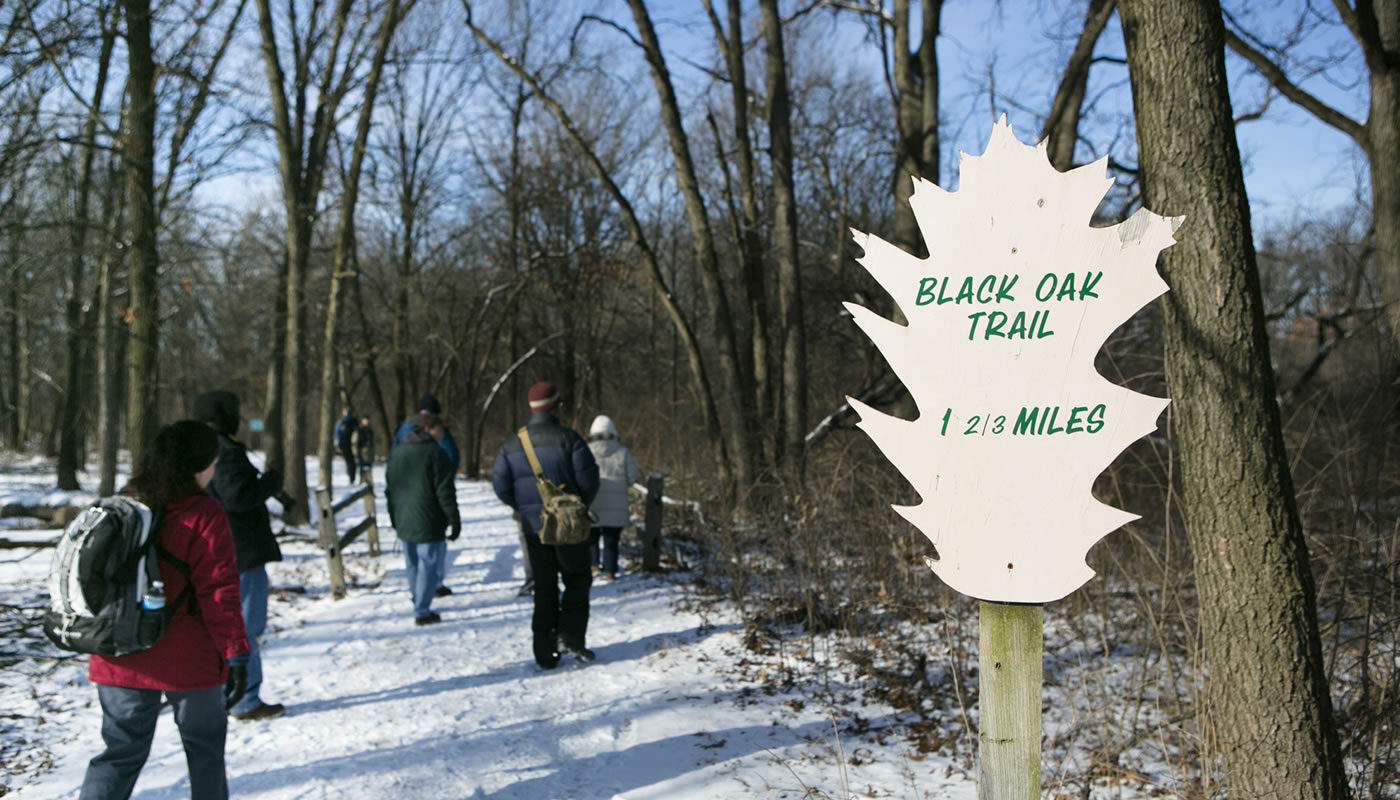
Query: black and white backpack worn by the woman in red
{"points": [[104, 567]]}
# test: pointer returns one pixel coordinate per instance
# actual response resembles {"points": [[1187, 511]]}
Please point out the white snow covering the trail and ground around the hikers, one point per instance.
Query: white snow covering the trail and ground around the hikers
{"points": [[381, 708]]}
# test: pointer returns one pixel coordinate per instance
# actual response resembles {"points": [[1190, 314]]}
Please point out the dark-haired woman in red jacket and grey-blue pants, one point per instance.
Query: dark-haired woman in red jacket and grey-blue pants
{"points": [[188, 665]]}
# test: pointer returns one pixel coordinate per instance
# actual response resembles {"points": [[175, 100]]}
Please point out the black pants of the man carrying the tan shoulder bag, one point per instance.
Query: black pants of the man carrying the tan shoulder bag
{"points": [[563, 617]]}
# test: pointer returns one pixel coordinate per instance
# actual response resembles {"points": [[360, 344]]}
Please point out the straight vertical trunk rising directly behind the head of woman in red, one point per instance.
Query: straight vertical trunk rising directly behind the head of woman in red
{"points": [[143, 265]]}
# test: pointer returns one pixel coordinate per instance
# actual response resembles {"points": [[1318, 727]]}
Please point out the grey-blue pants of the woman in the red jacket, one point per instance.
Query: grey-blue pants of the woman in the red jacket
{"points": [[129, 726]]}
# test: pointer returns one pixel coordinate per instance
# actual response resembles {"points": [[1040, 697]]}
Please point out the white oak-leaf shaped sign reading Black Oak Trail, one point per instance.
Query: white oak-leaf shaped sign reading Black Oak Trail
{"points": [[1006, 317]]}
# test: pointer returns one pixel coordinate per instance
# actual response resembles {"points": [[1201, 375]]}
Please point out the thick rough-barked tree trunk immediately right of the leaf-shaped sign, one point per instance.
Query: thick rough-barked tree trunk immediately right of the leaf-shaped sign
{"points": [[1269, 705]]}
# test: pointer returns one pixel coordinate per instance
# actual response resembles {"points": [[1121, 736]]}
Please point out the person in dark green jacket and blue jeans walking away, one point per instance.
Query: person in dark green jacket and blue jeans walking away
{"points": [[419, 485]]}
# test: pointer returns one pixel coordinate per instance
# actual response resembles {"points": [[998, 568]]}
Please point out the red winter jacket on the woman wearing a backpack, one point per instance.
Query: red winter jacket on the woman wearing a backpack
{"points": [[192, 652]]}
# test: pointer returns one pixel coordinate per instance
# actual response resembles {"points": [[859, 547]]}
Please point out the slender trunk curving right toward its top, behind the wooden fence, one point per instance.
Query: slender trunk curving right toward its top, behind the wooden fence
{"points": [[345, 263]]}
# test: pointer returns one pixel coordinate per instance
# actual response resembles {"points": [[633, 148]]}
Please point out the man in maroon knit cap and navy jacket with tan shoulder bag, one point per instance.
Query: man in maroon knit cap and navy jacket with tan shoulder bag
{"points": [[561, 624]]}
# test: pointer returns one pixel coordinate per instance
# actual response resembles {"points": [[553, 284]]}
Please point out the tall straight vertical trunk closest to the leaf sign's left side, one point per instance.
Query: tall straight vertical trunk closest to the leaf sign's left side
{"points": [[785, 233]]}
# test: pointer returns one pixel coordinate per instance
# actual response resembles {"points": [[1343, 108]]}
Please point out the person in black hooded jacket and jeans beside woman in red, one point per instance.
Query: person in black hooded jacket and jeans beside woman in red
{"points": [[244, 495]]}
